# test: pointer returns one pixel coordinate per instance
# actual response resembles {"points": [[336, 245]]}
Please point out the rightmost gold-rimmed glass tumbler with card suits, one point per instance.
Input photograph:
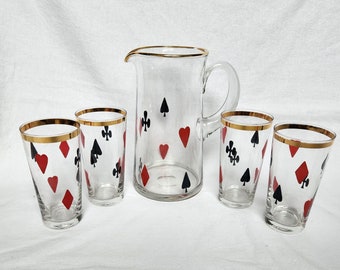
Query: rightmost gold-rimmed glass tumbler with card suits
{"points": [[299, 156]]}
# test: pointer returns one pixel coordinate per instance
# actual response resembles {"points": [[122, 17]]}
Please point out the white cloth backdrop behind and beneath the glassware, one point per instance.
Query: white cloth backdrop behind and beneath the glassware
{"points": [[58, 56]]}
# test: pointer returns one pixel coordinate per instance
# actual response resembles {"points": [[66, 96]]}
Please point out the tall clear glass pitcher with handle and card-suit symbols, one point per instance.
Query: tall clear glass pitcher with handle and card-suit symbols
{"points": [[170, 126]]}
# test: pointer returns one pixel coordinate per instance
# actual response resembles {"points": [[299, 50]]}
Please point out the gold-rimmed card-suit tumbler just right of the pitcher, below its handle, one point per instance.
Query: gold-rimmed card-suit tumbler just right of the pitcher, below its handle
{"points": [[244, 138]]}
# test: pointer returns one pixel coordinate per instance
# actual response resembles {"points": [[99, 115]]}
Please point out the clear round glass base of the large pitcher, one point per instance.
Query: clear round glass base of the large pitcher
{"points": [[165, 183]]}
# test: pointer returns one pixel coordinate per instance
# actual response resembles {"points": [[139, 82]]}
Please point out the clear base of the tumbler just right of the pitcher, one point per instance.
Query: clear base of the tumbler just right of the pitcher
{"points": [[236, 197]]}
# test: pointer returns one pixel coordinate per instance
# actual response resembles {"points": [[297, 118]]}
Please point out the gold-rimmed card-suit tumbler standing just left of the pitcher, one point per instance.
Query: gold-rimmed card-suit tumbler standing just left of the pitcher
{"points": [[102, 147]]}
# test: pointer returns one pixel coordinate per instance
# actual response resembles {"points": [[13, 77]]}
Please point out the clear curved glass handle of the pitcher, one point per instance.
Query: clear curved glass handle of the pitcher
{"points": [[212, 123]]}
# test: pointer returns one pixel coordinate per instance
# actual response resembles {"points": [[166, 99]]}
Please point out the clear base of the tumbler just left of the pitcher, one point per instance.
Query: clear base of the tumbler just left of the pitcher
{"points": [[105, 195]]}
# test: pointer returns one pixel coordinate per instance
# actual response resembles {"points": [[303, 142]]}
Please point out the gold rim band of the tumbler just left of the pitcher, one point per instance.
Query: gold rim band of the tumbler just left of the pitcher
{"points": [[100, 122]]}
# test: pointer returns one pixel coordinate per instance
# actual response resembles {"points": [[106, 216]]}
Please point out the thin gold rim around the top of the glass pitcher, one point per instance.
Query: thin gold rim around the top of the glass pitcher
{"points": [[202, 52]]}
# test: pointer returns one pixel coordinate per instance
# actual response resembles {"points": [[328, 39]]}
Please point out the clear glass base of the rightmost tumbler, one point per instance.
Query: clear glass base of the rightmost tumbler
{"points": [[285, 220]]}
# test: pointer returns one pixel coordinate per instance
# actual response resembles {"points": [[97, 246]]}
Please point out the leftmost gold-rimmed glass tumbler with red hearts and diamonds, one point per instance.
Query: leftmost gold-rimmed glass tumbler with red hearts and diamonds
{"points": [[52, 152]]}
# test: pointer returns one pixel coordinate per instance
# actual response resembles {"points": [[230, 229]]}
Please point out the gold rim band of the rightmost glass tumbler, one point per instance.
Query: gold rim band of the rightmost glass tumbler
{"points": [[298, 143]]}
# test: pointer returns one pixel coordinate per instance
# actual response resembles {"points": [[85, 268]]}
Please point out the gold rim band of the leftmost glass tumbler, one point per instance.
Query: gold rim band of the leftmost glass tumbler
{"points": [[49, 139]]}
